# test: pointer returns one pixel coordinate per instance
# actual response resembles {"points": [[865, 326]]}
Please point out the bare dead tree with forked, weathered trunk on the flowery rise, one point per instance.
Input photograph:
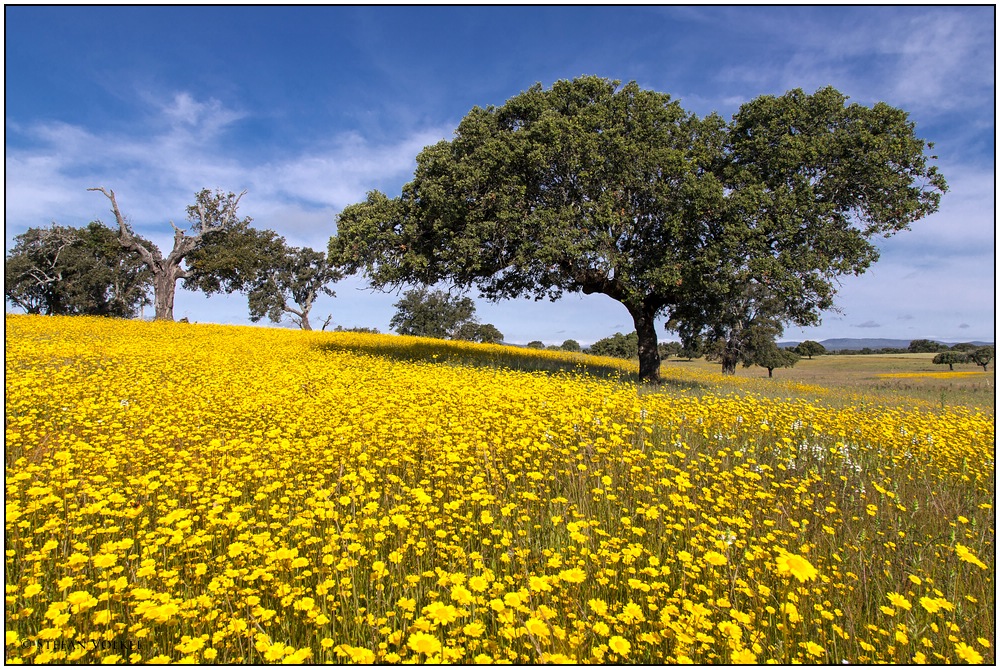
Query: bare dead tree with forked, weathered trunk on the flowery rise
{"points": [[209, 213]]}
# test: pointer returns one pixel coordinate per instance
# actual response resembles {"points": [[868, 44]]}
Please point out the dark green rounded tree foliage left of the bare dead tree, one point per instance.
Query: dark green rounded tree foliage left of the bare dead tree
{"points": [[65, 270]]}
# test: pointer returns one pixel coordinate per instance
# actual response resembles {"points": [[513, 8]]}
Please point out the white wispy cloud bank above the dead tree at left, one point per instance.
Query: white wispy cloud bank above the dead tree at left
{"points": [[155, 171]]}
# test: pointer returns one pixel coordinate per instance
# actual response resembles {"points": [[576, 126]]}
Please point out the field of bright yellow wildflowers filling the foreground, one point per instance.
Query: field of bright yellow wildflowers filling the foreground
{"points": [[220, 494]]}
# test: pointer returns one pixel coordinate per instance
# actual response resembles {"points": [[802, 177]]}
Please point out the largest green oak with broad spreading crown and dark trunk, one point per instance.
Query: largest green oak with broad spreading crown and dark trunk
{"points": [[598, 188]]}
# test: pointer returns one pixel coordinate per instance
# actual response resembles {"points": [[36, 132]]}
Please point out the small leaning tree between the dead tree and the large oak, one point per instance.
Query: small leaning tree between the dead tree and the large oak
{"points": [[290, 283]]}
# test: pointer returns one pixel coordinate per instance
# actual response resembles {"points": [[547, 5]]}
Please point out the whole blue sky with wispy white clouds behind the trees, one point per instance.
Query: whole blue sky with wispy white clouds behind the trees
{"points": [[308, 108]]}
